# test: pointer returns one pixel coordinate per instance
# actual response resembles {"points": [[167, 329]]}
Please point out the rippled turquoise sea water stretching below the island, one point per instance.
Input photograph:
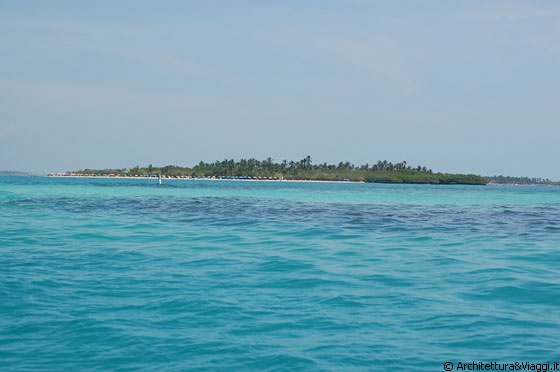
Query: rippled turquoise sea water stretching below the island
{"points": [[126, 275]]}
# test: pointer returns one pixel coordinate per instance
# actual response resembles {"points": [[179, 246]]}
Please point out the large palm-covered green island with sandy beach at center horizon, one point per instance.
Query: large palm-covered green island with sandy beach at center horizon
{"points": [[381, 172]]}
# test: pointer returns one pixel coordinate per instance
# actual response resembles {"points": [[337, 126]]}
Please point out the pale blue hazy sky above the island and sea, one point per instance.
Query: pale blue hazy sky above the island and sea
{"points": [[457, 86]]}
